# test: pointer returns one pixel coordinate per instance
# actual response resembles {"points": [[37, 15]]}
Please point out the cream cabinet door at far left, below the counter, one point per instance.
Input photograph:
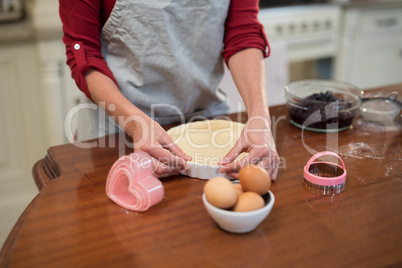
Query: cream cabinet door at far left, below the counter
{"points": [[21, 141]]}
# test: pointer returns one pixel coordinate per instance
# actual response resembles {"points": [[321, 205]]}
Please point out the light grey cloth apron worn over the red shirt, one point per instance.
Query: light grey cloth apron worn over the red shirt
{"points": [[166, 57]]}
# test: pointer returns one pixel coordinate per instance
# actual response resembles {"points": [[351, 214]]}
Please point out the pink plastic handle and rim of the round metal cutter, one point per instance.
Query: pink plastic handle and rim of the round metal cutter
{"points": [[324, 181]]}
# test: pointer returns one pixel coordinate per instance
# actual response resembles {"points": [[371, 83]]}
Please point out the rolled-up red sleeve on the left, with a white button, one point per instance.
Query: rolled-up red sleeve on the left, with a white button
{"points": [[82, 22]]}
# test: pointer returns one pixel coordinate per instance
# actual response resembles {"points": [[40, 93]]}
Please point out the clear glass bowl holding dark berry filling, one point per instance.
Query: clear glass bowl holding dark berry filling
{"points": [[322, 105]]}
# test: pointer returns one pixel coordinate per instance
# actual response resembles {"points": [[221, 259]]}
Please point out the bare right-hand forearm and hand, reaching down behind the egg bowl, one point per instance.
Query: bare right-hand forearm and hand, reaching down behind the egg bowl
{"points": [[248, 70]]}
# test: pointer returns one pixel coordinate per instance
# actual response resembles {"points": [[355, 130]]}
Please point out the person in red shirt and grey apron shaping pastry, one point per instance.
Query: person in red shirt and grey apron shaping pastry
{"points": [[148, 62]]}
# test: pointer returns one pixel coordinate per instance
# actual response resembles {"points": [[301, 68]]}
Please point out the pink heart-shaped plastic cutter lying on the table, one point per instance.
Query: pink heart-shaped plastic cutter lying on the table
{"points": [[131, 183]]}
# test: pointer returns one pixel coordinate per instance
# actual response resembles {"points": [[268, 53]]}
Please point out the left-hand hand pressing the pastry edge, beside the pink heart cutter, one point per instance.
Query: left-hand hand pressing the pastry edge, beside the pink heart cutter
{"points": [[150, 137]]}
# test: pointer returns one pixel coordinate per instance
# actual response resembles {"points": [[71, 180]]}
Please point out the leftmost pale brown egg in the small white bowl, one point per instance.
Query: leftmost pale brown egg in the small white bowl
{"points": [[220, 193]]}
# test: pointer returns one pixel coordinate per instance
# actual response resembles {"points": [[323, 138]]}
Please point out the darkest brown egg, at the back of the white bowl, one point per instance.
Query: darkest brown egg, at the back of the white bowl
{"points": [[255, 179]]}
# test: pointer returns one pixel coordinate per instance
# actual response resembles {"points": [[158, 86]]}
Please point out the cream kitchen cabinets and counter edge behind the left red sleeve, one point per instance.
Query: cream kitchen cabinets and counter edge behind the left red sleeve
{"points": [[36, 92]]}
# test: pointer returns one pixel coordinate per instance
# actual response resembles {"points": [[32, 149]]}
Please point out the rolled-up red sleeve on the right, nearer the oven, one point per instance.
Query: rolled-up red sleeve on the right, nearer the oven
{"points": [[243, 30]]}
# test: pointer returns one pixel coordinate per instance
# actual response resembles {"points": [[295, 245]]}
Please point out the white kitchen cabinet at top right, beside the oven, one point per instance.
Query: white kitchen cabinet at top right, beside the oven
{"points": [[370, 51]]}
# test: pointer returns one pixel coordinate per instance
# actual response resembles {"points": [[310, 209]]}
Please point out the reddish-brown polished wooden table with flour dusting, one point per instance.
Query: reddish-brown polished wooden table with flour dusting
{"points": [[72, 223]]}
